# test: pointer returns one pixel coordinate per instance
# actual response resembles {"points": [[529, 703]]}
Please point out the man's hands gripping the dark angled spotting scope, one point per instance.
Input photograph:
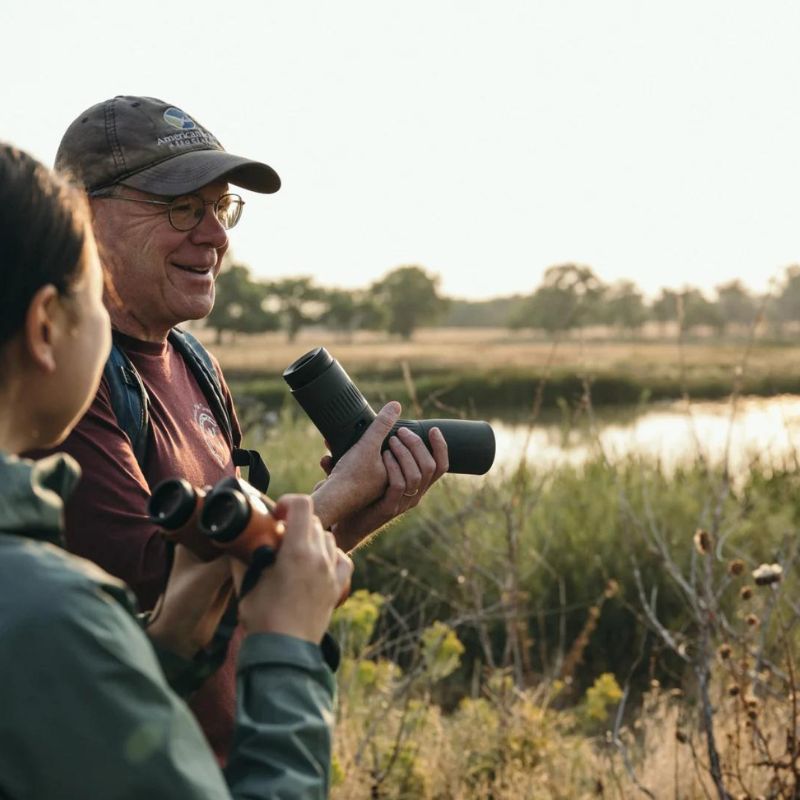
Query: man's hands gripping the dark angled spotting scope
{"points": [[367, 488]]}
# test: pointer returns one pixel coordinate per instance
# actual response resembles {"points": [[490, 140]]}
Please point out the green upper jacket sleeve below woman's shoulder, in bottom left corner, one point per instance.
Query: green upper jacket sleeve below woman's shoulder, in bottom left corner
{"points": [[87, 712]]}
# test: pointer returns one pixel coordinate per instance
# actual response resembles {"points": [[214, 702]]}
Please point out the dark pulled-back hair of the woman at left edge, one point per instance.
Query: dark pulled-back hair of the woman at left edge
{"points": [[43, 226]]}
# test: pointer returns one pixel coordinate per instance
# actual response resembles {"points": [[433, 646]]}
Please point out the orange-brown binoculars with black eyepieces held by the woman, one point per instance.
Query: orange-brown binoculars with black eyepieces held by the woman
{"points": [[233, 518]]}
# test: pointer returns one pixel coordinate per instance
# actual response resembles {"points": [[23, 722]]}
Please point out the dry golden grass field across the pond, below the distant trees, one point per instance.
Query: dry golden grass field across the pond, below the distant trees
{"points": [[494, 368]]}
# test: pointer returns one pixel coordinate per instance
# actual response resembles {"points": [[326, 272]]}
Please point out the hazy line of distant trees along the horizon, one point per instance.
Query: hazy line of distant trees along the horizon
{"points": [[569, 297]]}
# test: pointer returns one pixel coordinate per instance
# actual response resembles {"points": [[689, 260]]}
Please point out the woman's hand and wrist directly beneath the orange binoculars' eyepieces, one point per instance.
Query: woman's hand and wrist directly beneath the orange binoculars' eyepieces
{"points": [[189, 611]]}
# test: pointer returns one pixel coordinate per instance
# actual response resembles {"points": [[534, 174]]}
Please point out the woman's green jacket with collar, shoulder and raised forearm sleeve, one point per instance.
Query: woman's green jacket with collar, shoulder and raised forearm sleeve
{"points": [[85, 710]]}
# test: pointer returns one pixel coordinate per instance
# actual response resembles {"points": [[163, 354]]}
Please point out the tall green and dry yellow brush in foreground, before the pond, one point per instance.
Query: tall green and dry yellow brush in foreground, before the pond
{"points": [[546, 634]]}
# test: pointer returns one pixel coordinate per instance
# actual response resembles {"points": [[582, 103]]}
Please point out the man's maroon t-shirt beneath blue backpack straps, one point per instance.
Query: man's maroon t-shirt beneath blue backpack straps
{"points": [[106, 517]]}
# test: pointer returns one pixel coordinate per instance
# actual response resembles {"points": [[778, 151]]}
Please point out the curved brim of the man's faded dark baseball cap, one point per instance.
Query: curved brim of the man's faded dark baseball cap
{"points": [[189, 172]]}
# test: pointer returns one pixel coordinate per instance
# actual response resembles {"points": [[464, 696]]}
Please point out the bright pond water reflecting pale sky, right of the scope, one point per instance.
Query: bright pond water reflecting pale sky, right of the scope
{"points": [[760, 429]]}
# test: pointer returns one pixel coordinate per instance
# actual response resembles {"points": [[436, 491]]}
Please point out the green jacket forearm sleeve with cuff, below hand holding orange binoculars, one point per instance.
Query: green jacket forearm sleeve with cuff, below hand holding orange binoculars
{"points": [[284, 721]]}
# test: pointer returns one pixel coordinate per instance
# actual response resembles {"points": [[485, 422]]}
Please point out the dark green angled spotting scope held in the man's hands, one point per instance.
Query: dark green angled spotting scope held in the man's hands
{"points": [[341, 414]]}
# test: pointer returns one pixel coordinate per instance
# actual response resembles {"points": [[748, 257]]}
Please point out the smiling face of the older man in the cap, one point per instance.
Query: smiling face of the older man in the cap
{"points": [[162, 277]]}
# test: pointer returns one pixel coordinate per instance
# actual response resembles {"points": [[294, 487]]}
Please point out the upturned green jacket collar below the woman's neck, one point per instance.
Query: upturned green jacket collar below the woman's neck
{"points": [[32, 495]]}
